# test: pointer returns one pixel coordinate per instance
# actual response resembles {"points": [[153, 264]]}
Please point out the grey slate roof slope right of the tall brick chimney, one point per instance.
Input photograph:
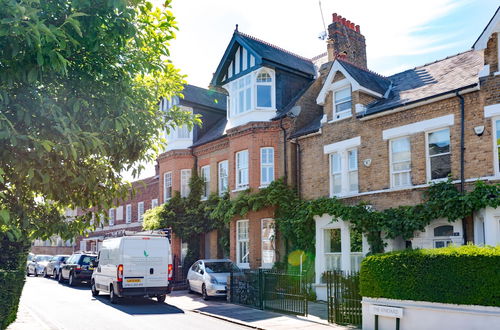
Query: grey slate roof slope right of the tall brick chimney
{"points": [[430, 80]]}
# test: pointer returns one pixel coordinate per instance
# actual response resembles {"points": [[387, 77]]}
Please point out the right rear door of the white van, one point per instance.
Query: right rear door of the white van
{"points": [[157, 256]]}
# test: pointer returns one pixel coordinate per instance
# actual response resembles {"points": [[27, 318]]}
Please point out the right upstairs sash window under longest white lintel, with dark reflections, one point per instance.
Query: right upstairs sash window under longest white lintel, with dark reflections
{"points": [[438, 154]]}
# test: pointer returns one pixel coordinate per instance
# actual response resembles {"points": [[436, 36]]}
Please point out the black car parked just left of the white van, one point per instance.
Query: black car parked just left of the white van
{"points": [[77, 268]]}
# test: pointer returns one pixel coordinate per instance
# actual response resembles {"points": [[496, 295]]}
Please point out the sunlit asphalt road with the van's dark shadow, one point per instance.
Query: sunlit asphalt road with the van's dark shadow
{"points": [[63, 307]]}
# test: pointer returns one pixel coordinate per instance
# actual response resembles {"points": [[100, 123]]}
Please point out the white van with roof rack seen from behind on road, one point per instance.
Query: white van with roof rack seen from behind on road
{"points": [[139, 265]]}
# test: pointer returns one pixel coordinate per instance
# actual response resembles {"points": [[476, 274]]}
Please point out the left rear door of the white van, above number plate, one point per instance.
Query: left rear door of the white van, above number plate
{"points": [[134, 262]]}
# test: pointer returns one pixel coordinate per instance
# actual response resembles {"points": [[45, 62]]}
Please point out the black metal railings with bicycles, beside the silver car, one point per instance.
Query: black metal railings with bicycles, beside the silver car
{"points": [[269, 290]]}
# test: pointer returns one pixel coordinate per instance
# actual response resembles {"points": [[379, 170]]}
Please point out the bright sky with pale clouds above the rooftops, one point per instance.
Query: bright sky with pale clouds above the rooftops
{"points": [[400, 34]]}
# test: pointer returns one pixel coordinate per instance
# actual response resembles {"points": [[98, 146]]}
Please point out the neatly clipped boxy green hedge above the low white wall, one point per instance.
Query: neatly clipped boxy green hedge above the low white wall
{"points": [[468, 275]]}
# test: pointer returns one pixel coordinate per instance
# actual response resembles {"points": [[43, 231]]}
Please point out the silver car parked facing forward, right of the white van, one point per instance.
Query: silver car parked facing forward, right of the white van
{"points": [[209, 277]]}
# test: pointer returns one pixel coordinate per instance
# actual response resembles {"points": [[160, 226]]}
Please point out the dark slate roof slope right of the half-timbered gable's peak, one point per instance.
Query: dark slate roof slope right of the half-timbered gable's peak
{"points": [[278, 55]]}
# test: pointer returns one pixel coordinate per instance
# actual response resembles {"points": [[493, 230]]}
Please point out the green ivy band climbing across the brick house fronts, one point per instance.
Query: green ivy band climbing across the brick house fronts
{"points": [[295, 217]]}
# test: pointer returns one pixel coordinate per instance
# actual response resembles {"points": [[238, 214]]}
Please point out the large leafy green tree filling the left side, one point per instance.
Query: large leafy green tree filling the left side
{"points": [[79, 85]]}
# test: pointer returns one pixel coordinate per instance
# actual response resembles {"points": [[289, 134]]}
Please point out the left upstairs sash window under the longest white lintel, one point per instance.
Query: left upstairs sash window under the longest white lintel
{"points": [[400, 159]]}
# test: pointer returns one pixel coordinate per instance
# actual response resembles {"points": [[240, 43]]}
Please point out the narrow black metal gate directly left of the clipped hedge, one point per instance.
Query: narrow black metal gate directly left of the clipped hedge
{"points": [[344, 299]]}
